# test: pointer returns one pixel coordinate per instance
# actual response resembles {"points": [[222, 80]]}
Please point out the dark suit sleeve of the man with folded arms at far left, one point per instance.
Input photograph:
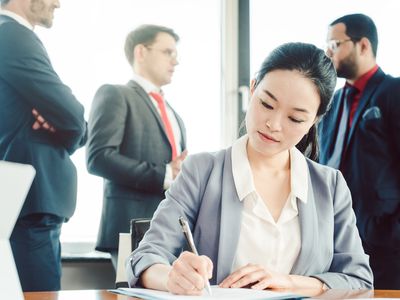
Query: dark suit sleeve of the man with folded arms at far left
{"points": [[26, 68]]}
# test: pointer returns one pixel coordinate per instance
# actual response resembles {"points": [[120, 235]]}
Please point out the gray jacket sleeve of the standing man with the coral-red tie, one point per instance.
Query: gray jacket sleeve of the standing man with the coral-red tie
{"points": [[107, 123]]}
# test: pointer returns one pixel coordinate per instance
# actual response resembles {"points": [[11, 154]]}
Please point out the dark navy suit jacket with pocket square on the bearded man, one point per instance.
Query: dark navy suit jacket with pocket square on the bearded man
{"points": [[371, 164]]}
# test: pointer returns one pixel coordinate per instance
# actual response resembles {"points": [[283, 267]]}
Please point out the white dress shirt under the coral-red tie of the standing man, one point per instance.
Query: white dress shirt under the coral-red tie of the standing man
{"points": [[150, 87]]}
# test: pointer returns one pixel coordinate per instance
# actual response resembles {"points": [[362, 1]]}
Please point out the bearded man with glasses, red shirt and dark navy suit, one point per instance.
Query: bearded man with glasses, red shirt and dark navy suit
{"points": [[360, 136]]}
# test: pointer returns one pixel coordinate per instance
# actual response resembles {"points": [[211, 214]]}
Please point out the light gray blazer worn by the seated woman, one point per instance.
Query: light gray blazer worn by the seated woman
{"points": [[205, 194]]}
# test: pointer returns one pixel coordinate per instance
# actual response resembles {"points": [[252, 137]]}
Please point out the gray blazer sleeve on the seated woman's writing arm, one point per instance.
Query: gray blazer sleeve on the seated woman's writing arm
{"points": [[164, 241]]}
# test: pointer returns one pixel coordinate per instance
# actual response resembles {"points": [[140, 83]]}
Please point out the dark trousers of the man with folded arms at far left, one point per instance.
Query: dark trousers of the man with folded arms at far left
{"points": [[35, 242]]}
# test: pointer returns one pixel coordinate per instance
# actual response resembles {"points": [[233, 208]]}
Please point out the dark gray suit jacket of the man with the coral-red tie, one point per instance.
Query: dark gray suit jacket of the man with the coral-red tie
{"points": [[129, 148]]}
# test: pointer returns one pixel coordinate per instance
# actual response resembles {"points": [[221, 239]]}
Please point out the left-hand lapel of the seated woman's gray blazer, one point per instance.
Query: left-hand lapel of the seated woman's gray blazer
{"points": [[231, 215]]}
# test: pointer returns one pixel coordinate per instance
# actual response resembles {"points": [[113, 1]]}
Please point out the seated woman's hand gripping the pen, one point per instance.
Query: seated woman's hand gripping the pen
{"points": [[189, 274]]}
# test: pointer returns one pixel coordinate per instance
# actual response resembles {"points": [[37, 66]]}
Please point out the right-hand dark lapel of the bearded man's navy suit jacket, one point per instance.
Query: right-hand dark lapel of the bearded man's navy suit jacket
{"points": [[366, 97]]}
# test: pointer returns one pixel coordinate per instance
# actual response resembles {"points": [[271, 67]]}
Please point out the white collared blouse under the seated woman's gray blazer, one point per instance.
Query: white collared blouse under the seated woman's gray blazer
{"points": [[273, 245]]}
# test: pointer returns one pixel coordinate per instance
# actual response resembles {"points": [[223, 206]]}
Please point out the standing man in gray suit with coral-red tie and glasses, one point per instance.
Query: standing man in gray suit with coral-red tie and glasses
{"points": [[136, 141]]}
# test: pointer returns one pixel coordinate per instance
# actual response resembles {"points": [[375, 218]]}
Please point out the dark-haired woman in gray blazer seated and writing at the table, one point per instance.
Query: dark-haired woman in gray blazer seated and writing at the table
{"points": [[262, 214]]}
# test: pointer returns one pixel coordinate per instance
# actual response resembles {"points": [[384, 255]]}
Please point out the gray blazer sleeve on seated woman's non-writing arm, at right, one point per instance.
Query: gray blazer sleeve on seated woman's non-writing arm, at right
{"points": [[349, 266]]}
